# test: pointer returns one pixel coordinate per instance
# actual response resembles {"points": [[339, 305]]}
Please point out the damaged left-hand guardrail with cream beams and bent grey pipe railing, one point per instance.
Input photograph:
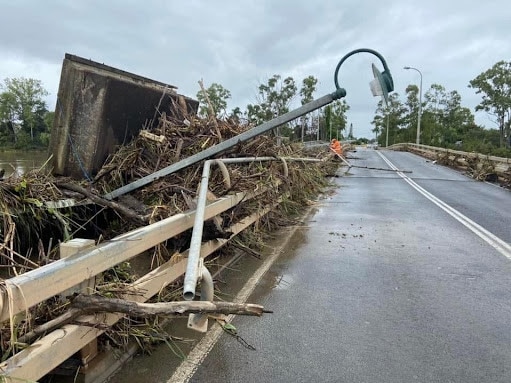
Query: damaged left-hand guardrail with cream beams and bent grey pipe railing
{"points": [[29, 289]]}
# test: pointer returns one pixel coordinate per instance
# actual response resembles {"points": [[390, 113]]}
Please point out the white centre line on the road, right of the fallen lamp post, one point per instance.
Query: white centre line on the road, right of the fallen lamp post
{"points": [[498, 244]]}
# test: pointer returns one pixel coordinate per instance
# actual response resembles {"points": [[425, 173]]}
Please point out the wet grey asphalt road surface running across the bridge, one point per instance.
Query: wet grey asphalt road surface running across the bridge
{"points": [[383, 286]]}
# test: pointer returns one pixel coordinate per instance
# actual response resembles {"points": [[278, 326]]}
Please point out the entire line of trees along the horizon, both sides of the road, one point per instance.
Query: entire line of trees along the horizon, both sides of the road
{"points": [[25, 121]]}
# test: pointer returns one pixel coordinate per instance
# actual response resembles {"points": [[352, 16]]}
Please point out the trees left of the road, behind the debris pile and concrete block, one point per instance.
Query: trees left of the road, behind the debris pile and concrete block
{"points": [[25, 122]]}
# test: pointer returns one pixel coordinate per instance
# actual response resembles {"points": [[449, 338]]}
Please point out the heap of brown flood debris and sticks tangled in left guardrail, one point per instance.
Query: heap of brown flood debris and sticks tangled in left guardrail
{"points": [[40, 211]]}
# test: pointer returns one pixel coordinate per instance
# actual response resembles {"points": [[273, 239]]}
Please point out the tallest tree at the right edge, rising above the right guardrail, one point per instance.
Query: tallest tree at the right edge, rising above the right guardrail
{"points": [[495, 87]]}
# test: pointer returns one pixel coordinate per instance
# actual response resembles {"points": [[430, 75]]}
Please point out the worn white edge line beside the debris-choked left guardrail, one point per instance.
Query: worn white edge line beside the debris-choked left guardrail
{"points": [[194, 359]]}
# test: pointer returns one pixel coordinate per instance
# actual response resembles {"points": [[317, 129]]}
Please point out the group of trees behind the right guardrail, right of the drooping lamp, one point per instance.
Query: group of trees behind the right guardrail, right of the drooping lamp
{"points": [[445, 121]]}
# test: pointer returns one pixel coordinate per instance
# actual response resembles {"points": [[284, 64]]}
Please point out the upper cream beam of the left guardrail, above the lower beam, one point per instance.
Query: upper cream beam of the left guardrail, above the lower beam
{"points": [[35, 286]]}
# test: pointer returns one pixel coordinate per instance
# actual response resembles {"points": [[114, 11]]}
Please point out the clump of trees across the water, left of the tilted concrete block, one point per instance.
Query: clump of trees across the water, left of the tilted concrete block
{"points": [[25, 122]]}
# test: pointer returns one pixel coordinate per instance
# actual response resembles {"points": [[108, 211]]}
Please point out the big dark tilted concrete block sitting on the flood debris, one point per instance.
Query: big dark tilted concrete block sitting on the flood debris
{"points": [[100, 107]]}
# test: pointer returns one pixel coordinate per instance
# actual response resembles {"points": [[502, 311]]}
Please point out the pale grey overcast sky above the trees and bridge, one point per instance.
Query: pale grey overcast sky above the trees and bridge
{"points": [[241, 43]]}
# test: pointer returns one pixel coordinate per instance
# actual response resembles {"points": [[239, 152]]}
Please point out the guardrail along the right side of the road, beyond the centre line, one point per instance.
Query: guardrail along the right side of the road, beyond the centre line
{"points": [[500, 166]]}
